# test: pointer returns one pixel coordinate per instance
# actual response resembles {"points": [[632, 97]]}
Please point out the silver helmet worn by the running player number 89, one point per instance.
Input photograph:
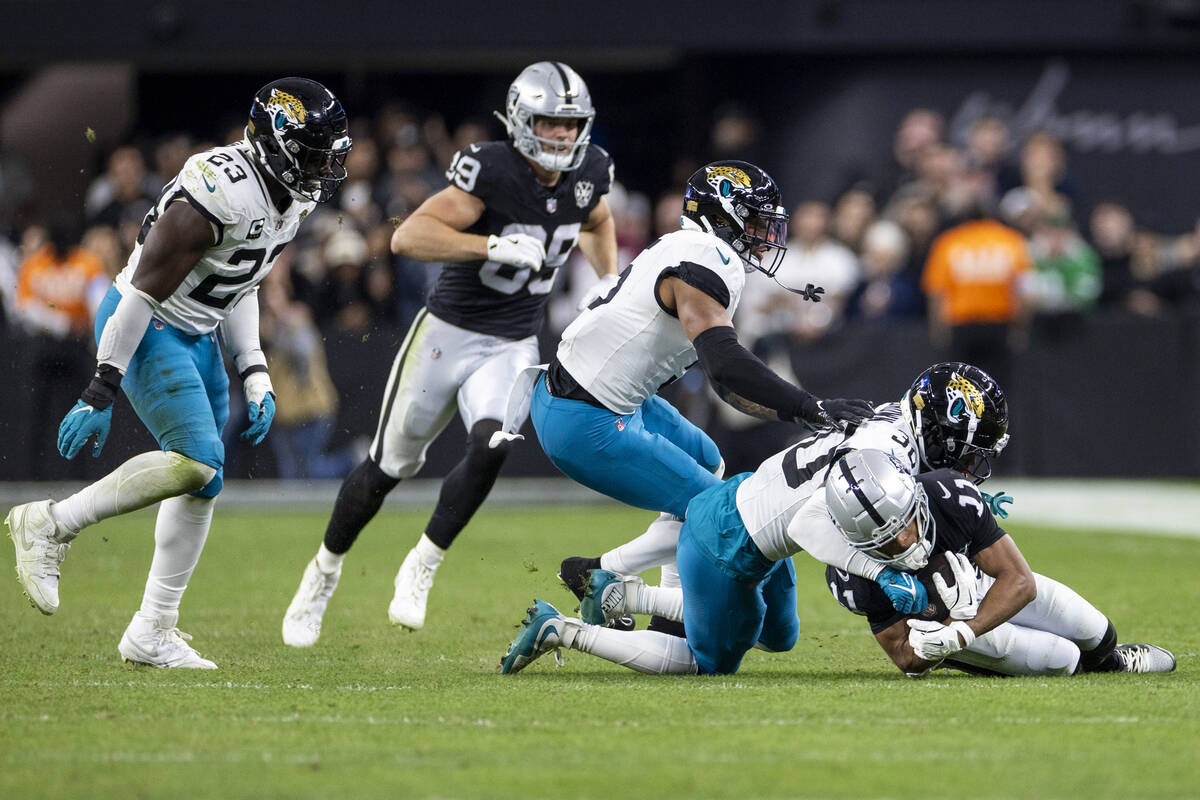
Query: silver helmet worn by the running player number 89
{"points": [[549, 89]]}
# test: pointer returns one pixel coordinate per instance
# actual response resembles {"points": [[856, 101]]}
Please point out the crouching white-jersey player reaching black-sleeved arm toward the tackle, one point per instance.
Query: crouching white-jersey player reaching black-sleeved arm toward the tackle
{"points": [[597, 412]]}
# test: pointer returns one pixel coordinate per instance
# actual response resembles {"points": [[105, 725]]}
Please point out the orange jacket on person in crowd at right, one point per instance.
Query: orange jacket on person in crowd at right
{"points": [[973, 274]]}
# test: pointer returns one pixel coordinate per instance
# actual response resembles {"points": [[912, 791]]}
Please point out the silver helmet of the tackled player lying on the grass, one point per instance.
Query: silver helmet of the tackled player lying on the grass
{"points": [[873, 500]]}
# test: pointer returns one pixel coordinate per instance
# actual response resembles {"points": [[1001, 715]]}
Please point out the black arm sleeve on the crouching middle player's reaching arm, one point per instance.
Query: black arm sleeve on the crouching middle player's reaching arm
{"points": [[729, 364]]}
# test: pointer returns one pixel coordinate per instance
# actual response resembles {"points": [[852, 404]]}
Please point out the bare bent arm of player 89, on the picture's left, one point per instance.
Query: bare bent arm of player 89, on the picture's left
{"points": [[435, 232]]}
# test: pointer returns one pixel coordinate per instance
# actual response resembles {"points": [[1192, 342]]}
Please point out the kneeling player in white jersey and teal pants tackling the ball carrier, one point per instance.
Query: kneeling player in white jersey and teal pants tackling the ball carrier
{"points": [[739, 585]]}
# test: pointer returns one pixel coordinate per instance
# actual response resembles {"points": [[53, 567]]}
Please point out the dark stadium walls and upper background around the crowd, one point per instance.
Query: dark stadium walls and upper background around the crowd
{"points": [[1099, 393]]}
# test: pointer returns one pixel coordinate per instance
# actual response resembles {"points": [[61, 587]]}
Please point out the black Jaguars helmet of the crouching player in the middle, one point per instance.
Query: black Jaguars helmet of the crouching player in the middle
{"points": [[740, 204]]}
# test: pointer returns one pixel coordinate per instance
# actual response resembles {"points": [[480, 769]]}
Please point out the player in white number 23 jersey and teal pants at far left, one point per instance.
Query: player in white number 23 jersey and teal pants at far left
{"points": [[193, 278]]}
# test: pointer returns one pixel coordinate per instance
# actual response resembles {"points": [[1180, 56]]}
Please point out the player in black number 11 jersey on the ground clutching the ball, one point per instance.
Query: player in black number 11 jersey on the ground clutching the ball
{"points": [[998, 617]]}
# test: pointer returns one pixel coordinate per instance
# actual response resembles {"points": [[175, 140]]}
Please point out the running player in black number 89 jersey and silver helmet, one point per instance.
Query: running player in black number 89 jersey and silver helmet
{"points": [[512, 215]]}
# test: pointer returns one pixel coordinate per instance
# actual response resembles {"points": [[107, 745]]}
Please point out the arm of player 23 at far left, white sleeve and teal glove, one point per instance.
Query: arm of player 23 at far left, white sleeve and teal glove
{"points": [[175, 244]]}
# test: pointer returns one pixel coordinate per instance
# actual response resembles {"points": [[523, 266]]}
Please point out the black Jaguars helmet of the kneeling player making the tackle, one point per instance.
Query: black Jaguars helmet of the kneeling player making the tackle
{"points": [[959, 418]]}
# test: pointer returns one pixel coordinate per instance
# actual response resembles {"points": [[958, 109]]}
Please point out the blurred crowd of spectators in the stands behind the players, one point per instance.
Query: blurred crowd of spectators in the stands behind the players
{"points": [[980, 238]]}
